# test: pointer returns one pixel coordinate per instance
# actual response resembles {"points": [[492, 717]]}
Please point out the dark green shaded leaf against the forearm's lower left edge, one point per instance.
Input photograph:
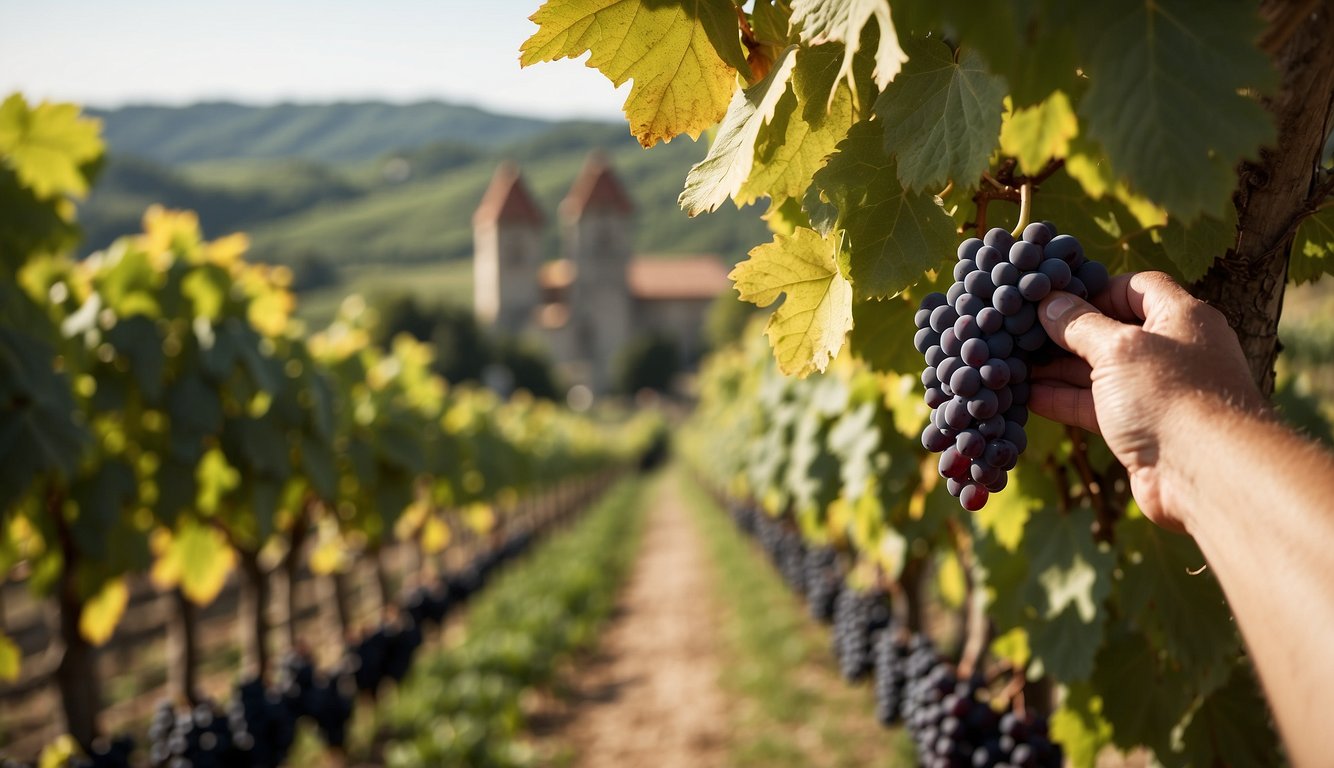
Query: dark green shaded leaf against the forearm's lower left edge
{"points": [[1161, 590]]}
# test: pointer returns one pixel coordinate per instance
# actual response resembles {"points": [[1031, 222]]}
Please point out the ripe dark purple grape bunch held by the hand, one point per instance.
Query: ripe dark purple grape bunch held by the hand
{"points": [[980, 342]]}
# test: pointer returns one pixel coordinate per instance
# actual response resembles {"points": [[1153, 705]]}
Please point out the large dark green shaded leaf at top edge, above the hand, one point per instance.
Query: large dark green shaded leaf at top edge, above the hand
{"points": [[1167, 98]]}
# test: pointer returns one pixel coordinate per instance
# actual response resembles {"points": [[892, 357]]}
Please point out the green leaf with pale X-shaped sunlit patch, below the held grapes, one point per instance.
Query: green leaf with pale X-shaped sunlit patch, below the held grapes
{"points": [[1069, 582]]}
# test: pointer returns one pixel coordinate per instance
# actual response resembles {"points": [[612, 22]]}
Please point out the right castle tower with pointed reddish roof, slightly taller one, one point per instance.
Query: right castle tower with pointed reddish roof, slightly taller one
{"points": [[597, 226]]}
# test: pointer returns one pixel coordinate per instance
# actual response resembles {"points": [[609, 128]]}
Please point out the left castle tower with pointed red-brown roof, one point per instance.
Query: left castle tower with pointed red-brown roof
{"points": [[508, 253]]}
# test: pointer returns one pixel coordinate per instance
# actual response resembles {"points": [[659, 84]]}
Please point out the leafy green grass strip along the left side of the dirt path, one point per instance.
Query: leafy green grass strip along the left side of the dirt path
{"points": [[462, 705]]}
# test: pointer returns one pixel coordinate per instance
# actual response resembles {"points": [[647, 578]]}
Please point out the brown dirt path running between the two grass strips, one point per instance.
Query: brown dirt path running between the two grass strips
{"points": [[650, 697]]}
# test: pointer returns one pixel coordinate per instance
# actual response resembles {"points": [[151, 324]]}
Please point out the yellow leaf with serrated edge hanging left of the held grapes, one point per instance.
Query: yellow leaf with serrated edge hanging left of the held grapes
{"points": [[809, 329]]}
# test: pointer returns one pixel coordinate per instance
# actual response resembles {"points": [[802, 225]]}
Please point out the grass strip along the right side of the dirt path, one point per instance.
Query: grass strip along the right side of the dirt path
{"points": [[792, 706]]}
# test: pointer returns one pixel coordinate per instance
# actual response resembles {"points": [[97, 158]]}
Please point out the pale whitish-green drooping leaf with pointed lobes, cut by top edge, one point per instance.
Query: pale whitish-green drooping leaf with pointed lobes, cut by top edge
{"points": [[842, 22]]}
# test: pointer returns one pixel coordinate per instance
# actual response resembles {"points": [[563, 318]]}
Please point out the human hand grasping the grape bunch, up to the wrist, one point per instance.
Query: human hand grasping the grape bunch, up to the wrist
{"points": [[1152, 359]]}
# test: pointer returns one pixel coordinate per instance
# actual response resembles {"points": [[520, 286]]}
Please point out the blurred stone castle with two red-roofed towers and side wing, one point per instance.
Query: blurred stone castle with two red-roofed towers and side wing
{"points": [[588, 306]]}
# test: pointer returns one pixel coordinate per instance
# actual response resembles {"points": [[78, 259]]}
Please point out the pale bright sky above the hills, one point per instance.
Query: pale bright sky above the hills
{"points": [[109, 54]]}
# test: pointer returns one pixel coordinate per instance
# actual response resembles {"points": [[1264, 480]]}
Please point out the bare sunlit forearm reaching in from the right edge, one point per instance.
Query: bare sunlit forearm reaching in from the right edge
{"points": [[1260, 502]]}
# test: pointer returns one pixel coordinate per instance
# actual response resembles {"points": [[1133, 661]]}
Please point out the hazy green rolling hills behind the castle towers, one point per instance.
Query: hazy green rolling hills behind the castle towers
{"points": [[372, 183]]}
